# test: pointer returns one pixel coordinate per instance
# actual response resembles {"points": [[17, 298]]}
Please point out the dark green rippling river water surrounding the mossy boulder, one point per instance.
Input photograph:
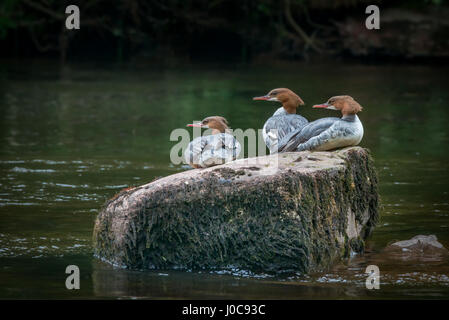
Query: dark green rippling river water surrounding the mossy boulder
{"points": [[70, 141]]}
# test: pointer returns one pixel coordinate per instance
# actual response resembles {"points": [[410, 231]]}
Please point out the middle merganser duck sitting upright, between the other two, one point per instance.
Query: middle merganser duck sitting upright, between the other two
{"points": [[284, 120]]}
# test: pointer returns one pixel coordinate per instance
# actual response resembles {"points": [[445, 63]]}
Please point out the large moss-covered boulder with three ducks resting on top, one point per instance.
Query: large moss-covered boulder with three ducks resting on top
{"points": [[289, 212]]}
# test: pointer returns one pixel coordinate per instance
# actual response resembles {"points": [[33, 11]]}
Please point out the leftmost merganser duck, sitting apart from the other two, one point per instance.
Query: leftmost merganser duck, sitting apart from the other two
{"points": [[218, 148]]}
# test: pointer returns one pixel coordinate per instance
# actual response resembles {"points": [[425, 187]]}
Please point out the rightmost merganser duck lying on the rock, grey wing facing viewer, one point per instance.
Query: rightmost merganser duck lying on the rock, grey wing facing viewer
{"points": [[329, 133]]}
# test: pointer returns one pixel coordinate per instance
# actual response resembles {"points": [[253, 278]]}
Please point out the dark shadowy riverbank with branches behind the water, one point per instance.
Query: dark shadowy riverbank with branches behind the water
{"points": [[189, 31]]}
